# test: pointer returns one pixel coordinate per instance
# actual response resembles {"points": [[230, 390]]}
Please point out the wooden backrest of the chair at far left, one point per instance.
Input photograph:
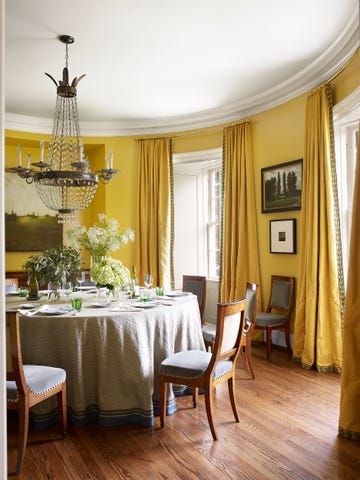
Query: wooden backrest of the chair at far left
{"points": [[14, 365]]}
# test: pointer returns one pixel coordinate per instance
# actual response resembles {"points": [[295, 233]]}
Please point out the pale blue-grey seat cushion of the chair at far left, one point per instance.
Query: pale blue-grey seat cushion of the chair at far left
{"points": [[40, 379]]}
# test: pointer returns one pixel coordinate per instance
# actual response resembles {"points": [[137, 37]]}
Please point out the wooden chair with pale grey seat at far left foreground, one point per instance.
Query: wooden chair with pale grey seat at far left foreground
{"points": [[28, 385]]}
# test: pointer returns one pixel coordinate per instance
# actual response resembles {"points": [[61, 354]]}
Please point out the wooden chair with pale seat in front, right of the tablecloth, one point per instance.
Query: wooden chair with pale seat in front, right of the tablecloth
{"points": [[202, 369]]}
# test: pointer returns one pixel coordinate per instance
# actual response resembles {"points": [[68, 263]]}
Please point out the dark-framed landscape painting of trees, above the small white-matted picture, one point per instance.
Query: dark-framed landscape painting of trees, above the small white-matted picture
{"points": [[281, 187]]}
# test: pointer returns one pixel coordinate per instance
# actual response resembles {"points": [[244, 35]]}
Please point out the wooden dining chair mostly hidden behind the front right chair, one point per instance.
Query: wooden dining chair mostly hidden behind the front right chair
{"points": [[209, 330]]}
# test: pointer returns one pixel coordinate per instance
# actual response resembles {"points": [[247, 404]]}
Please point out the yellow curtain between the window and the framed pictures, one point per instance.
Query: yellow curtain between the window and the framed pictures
{"points": [[240, 252]]}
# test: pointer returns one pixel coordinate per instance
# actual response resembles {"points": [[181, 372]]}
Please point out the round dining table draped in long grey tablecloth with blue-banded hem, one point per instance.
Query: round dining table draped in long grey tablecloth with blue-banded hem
{"points": [[111, 352]]}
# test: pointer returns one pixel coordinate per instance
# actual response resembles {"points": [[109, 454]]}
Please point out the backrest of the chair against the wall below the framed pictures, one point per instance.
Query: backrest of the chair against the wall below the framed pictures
{"points": [[281, 294]]}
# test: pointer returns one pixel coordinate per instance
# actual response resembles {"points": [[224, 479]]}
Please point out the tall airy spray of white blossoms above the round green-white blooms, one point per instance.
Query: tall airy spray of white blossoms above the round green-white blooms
{"points": [[103, 237]]}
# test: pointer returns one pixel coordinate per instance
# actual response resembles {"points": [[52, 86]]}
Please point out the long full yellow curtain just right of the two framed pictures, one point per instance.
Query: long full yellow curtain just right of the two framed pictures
{"points": [[317, 333]]}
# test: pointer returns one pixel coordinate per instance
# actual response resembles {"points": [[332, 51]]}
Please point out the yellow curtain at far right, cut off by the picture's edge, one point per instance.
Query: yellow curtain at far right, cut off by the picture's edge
{"points": [[349, 420]]}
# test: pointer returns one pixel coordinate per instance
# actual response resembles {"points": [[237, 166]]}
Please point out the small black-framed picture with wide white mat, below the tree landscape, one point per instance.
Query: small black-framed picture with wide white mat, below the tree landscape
{"points": [[283, 236]]}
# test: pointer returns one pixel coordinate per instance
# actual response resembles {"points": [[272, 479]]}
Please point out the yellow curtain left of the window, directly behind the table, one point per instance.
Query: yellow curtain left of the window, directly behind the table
{"points": [[154, 212]]}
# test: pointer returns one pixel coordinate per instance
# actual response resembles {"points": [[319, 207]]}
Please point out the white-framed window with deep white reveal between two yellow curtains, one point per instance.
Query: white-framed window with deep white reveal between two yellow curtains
{"points": [[197, 207]]}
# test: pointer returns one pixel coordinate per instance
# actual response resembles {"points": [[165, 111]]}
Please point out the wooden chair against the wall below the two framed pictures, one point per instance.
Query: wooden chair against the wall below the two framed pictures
{"points": [[278, 311]]}
